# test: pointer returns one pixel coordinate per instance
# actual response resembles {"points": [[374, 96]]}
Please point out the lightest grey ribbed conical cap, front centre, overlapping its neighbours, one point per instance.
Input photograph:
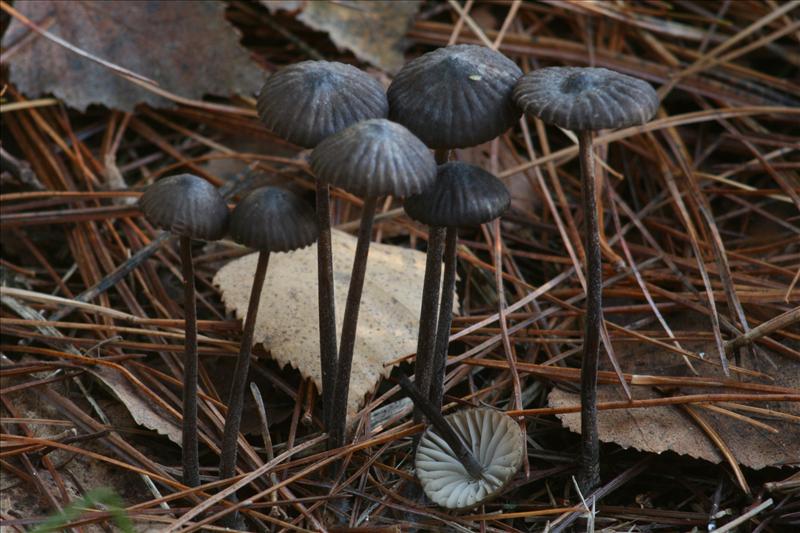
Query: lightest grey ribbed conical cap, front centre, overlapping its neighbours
{"points": [[375, 158]]}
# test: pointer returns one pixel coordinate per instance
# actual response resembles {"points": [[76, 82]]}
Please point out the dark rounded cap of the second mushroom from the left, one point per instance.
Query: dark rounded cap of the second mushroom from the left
{"points": [[273, 220]]}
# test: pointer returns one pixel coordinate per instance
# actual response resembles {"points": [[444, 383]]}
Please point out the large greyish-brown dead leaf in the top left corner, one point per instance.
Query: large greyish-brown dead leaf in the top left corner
{"points": [[158, 39]]}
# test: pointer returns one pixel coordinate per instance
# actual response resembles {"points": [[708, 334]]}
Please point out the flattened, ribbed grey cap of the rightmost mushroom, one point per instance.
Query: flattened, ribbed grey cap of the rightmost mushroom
{"points": [[578, 98]]}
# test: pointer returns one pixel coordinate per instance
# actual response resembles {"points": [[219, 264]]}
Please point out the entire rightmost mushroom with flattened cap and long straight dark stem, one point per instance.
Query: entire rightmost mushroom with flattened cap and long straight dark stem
{"points": [[585, 100]]}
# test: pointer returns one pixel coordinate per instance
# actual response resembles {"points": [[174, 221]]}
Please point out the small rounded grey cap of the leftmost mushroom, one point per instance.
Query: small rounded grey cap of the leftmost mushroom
{"points": [[186, 205]]}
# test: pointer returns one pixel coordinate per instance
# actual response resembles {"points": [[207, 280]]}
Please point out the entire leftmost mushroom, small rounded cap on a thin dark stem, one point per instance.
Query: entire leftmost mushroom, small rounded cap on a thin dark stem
{"points": [[191, 208]]}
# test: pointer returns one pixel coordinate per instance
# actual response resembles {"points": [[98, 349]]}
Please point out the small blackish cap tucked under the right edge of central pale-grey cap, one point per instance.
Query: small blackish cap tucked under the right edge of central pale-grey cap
{"points": [[463, 195]]}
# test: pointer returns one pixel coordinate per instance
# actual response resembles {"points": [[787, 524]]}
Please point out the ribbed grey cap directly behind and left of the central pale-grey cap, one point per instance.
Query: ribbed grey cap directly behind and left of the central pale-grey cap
{"points": [[311, 100]]}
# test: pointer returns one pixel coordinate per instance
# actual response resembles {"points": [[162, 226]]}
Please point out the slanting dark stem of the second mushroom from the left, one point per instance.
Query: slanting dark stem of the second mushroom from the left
{"points": [[233, 419]]}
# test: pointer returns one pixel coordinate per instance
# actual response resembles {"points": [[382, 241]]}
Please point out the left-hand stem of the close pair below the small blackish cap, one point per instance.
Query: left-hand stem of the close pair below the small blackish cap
{"points": [[428, 315]]}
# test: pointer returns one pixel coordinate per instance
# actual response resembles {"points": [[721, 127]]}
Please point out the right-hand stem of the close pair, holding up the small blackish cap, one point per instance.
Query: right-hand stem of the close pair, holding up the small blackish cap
{"points": [[436, 392]]}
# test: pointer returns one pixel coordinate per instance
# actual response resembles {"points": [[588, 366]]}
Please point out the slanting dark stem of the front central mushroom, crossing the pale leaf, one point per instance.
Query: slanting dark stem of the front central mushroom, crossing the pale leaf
{"points": [[350, 322]]}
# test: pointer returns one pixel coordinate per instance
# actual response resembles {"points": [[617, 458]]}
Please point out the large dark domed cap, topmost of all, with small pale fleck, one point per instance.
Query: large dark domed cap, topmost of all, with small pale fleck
{"points": [[455, 97]]}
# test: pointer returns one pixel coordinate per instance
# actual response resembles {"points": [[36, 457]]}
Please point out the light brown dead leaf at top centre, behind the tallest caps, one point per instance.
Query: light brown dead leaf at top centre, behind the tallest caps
{"points": [[374, 30]]}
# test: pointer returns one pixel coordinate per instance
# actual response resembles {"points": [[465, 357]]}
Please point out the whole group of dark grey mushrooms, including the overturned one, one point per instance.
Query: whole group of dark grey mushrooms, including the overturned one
{"points": [[398, 143]]}
